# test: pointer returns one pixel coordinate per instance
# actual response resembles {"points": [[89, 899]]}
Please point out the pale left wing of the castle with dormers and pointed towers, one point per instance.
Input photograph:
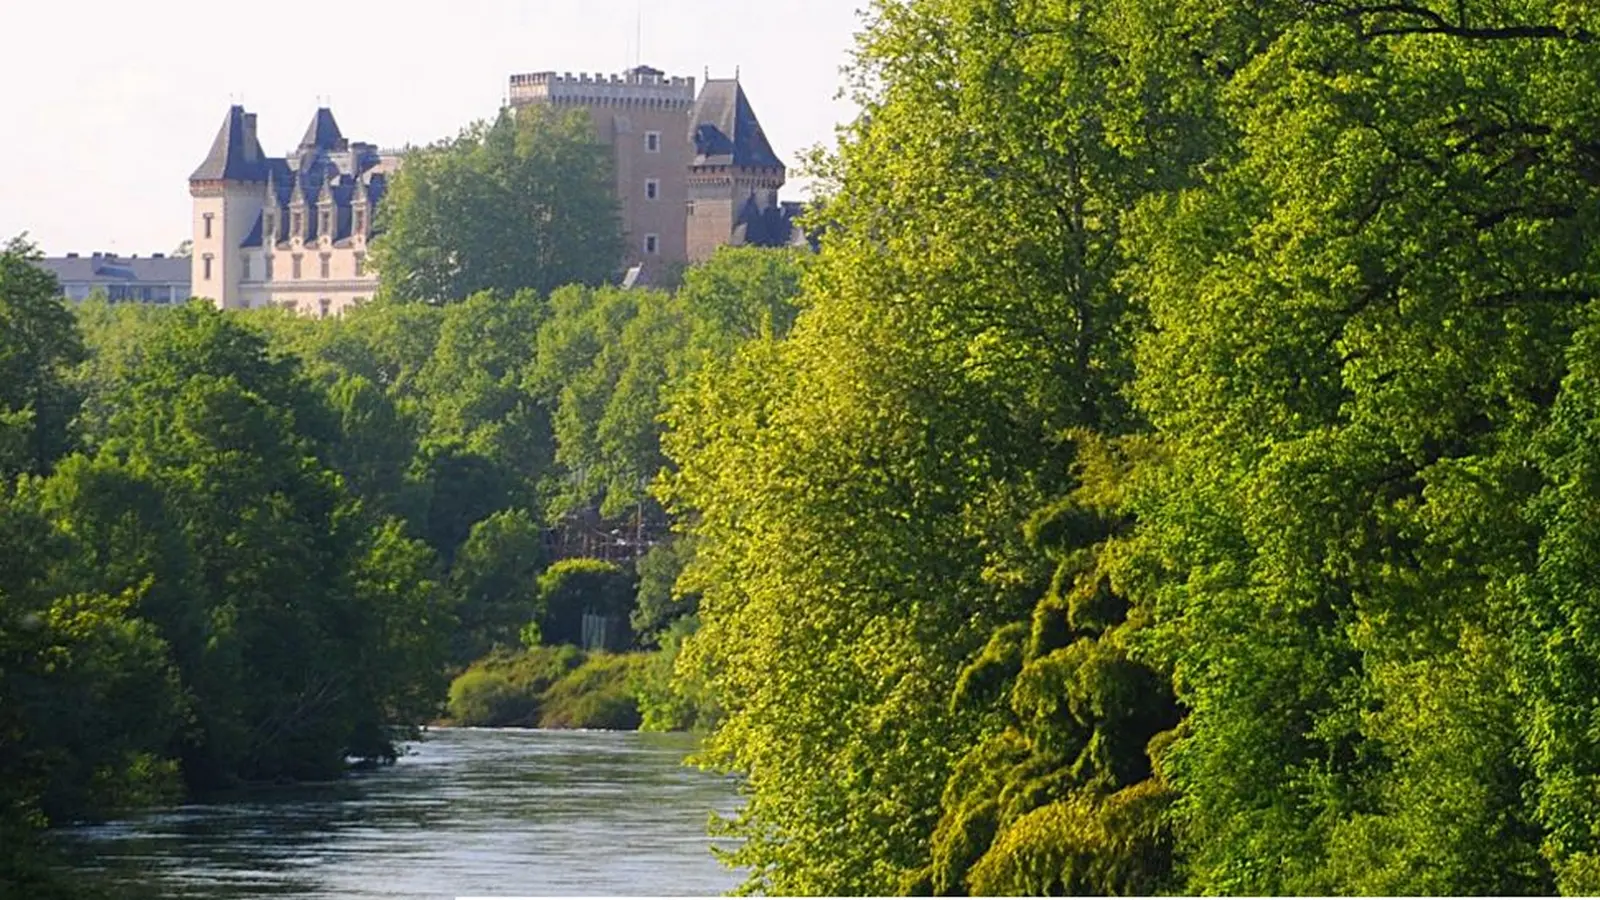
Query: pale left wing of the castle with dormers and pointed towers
{"points": [[287, 231]]}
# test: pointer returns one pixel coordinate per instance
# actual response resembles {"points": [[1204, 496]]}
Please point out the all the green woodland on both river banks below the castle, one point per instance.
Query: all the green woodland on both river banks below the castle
{"points": [[1178, 472]]}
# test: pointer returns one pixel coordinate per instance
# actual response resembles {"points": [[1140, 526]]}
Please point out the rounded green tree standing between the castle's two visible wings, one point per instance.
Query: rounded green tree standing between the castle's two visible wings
{"points": [[524, 203]]}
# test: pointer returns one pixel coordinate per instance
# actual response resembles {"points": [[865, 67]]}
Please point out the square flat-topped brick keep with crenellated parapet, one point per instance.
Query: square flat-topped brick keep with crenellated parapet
{"points": [[642, 116]]}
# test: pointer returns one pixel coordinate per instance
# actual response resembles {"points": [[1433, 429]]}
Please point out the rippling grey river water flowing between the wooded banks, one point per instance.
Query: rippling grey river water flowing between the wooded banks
{"points": [[470, 813]]}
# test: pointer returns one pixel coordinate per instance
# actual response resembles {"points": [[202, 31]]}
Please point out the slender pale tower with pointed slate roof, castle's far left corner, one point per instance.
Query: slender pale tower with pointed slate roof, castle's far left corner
{"points": [[228, 195]]}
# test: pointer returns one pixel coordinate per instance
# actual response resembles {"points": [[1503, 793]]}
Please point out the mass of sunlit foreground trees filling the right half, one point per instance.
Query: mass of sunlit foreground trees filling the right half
{"points": [[1183, 475]]}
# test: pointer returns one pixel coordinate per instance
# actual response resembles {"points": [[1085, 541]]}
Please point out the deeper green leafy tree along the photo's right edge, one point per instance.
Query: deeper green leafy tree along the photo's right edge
{"points": [[1361, 321]]}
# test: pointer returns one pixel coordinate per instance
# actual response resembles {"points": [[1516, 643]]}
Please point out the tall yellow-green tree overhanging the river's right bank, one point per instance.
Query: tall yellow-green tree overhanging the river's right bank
{"points": [[860, 491]]}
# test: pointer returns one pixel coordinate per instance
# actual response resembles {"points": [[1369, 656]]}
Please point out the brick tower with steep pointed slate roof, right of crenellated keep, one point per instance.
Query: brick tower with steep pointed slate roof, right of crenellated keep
{"points": [[734, 175]]}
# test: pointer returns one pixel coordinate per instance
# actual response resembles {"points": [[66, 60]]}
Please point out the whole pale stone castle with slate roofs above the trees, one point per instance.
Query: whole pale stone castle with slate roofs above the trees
{"points": [[694, 172]]}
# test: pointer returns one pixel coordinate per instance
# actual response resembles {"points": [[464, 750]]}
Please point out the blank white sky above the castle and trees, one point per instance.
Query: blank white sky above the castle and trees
{"points": [[106, 106]]}
